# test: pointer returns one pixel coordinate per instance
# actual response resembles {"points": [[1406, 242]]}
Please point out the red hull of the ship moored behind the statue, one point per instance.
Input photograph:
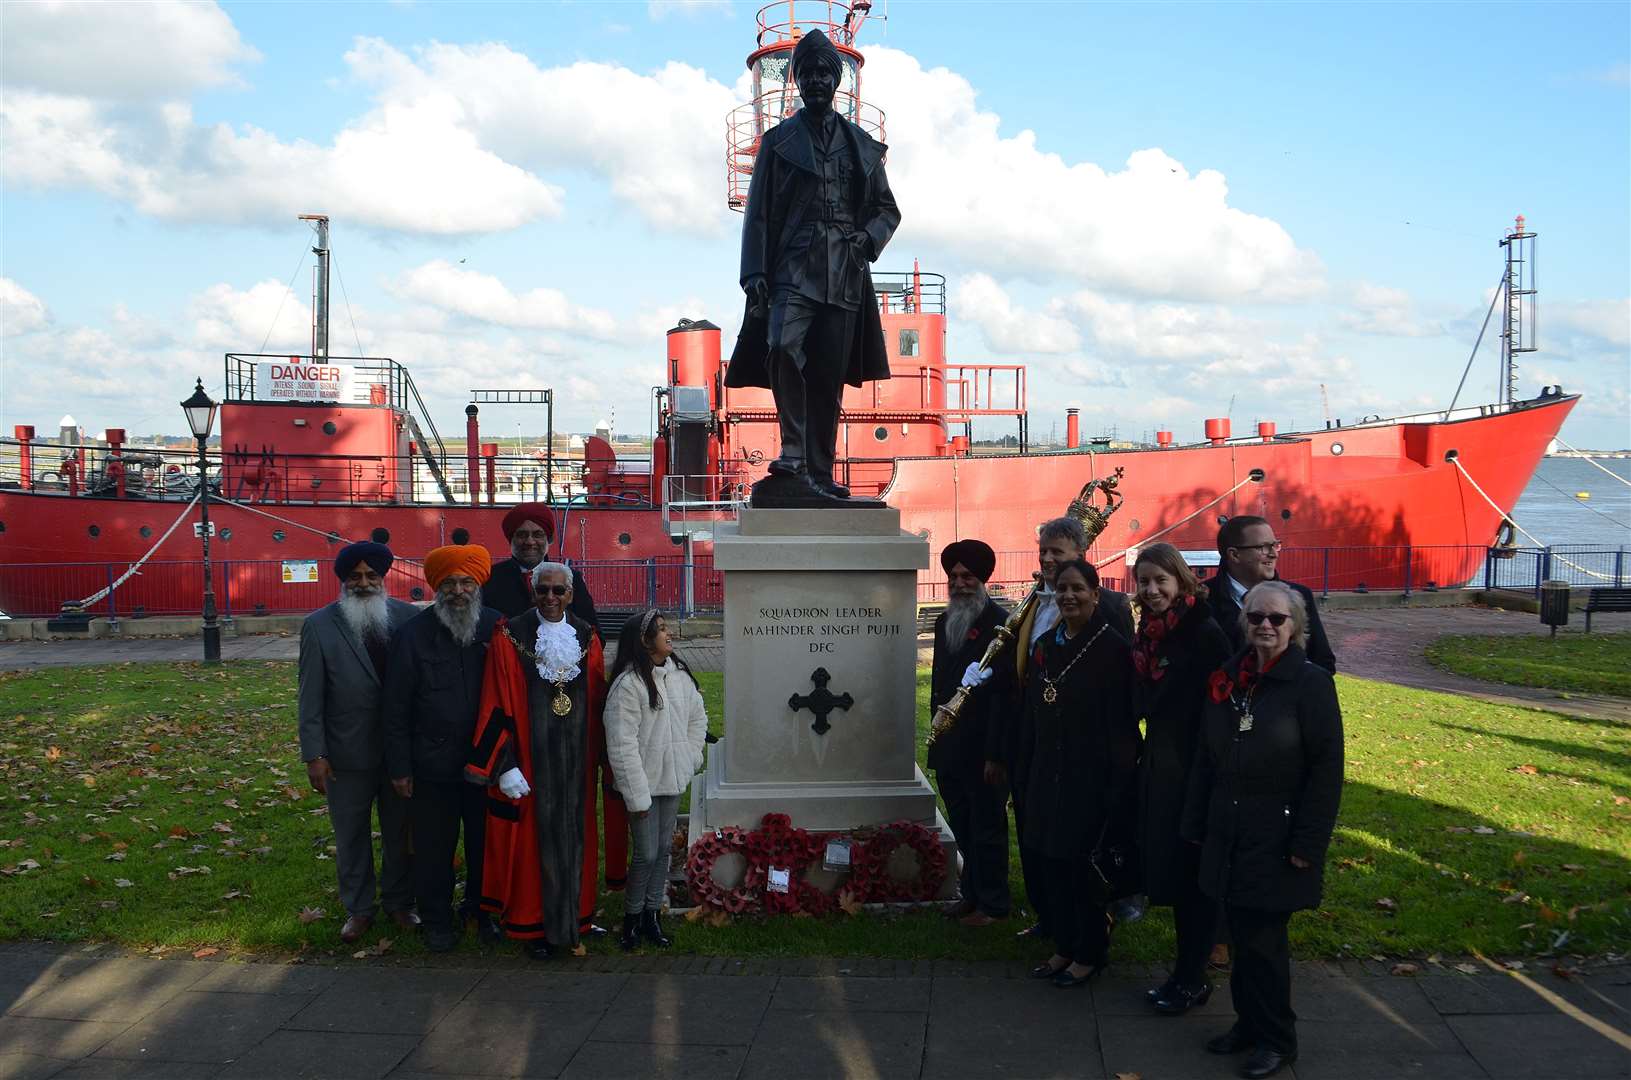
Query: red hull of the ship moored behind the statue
{"points": [[1328, 495]]}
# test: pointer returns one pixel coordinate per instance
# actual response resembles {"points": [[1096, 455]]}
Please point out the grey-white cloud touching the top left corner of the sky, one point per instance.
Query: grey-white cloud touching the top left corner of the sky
{"points": [[154, 51]]}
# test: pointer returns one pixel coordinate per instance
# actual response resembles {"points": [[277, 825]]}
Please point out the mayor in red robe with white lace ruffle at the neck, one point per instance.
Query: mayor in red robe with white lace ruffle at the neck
{"points": [[537, 738]]}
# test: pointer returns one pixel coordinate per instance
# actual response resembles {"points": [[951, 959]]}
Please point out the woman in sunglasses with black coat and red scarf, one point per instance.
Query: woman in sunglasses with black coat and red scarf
{"points": [[1263, 802]]}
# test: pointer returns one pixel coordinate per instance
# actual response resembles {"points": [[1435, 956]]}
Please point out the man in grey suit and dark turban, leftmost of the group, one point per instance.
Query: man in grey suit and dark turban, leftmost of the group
{"points": [[343, 735]]}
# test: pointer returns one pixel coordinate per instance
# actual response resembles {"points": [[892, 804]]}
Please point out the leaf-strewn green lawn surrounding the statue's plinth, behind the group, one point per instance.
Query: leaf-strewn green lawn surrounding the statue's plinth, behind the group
{"points": [[166, 805]]}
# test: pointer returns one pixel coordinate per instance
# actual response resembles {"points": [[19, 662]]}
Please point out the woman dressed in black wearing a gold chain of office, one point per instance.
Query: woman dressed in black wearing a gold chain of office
{"points": [[1082, 771]]}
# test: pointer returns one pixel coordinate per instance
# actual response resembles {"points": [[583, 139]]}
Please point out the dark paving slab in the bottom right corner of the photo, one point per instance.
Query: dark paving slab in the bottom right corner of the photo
{"points": [[1539, 1047]]}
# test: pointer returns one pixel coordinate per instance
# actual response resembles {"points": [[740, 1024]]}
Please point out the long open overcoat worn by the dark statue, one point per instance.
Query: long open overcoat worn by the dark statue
{"points": [[780, 200]]}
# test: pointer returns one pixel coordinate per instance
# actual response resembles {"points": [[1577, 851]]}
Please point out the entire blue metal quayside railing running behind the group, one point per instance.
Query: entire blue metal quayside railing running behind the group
{"points": [[687, 585]]}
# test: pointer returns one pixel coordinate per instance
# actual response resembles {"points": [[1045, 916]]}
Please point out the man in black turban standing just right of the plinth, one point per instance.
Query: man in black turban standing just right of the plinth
{"points": [[966, 759]]}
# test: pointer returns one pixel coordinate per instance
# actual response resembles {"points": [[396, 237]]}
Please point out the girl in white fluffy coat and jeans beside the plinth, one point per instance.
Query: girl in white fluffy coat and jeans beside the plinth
{"points": [[656, 727]]}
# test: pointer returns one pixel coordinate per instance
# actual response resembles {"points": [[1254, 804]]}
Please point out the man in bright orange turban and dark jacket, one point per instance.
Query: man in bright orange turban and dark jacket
{"points": [[433, 691]]}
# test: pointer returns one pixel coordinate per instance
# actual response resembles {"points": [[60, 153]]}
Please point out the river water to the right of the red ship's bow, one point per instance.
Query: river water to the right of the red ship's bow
{"points": [[1550, 510]]}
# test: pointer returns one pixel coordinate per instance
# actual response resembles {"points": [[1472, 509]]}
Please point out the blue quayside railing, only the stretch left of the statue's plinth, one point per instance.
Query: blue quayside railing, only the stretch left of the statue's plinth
{"points": [[674, 583]]}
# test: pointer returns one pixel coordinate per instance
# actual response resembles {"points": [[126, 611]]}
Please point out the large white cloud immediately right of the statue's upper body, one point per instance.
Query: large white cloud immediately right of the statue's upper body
{"points": [[1015, 208]]}
